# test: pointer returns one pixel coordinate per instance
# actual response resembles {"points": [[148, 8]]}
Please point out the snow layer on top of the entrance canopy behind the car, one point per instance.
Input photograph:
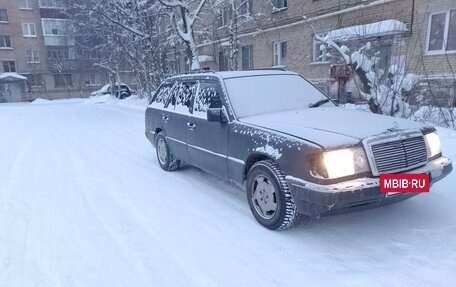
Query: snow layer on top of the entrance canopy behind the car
{"points": [[376, 29]]}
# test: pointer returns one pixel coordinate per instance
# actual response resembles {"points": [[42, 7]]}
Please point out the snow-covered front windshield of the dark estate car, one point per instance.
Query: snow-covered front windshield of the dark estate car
{"points": [[271, 93]]}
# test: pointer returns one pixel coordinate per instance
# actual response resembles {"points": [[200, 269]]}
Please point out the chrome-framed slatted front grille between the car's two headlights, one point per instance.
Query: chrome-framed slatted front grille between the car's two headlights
{"points": [[399, 155]]}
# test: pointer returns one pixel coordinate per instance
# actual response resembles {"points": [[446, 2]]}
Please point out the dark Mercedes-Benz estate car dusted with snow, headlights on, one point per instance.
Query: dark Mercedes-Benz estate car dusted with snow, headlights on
{"points": [[292, 149]]}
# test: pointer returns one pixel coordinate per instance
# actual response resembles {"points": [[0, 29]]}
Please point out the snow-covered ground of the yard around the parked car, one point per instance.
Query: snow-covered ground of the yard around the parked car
{"points": [[83, 202]]}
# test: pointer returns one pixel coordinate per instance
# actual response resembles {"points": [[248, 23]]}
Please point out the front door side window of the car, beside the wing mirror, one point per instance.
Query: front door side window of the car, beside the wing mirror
{"points": [[208, 97]]}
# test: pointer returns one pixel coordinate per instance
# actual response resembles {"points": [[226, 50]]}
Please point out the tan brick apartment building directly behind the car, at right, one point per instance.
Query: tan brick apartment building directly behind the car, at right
{"points": [[411, 36]]}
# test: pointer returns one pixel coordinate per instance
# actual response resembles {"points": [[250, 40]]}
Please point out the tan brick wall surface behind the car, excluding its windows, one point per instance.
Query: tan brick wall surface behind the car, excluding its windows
{"points": [[287, 25]]}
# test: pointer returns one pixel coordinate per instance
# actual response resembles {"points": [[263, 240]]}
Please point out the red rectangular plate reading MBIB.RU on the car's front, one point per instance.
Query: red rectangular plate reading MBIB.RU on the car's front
{"points": [[404, 182]]}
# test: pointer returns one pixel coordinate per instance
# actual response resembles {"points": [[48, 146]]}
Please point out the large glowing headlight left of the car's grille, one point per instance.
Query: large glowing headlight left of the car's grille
{"points": [[340, 163]]}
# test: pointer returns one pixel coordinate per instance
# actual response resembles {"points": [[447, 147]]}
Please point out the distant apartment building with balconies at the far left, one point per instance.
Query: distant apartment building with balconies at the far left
{"points": [[37, 40]]}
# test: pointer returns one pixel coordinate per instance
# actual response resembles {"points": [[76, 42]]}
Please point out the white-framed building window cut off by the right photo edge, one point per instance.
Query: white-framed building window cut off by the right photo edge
{"points": [[442, 32]]}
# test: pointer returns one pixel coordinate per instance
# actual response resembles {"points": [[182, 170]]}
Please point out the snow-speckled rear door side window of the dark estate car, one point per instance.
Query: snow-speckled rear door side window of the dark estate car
{"points": [[182, 94]]}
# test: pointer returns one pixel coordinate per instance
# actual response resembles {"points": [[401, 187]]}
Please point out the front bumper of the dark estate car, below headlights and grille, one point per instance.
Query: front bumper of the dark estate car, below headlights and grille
{"points": [[320, 200]]}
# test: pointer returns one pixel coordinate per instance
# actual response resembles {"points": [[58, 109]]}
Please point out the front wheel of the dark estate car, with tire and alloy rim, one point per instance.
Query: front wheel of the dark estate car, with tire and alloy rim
{"points": [[269, 196]]}
